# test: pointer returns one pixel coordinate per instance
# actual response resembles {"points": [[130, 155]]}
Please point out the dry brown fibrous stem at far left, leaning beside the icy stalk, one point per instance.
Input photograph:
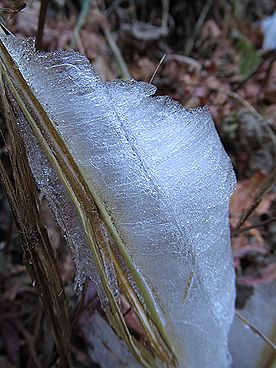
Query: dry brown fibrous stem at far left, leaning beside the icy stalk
{"points": [[40, 259]]}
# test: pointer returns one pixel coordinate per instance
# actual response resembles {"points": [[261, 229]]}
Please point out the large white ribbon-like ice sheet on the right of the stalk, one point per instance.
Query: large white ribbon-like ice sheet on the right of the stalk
{"points": [[165, 179]]}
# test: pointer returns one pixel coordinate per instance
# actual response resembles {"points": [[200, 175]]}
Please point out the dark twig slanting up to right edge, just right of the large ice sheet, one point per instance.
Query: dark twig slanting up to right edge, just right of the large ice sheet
{"points": [[265, 187]]}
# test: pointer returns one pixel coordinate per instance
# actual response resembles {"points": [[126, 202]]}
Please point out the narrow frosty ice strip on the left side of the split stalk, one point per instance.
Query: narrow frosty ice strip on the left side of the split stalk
{"points": [[62, 208]]}
